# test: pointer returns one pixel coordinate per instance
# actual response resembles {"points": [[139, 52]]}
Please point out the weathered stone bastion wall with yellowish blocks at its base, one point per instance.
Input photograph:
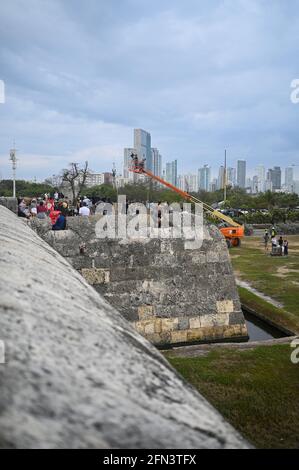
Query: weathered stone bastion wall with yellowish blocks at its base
{"points": [[172, 294]]}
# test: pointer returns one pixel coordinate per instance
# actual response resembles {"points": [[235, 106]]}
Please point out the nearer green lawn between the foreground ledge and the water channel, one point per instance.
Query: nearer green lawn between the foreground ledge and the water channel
{"points": [[255, 390]]}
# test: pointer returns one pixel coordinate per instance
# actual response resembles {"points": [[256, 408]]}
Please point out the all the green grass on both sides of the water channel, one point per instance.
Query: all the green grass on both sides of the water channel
{"points": [[256, 390]]}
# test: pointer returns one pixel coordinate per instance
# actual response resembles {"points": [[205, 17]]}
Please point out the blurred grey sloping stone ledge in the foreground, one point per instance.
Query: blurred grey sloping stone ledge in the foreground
{"points": [[77, 375]]}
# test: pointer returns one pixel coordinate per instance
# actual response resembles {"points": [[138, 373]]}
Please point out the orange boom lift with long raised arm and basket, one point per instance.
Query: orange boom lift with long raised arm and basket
{"points": [[232, 231]]}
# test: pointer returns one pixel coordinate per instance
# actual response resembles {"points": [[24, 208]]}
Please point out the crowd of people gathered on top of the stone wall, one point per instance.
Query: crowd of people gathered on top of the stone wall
{"points": [[56, 207]]}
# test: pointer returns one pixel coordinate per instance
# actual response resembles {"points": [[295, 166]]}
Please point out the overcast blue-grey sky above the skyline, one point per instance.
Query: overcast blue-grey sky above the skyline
{"points": [[199, 75]]}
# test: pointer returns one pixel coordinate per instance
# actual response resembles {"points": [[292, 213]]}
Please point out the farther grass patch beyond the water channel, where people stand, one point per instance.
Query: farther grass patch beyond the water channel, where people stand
{"points": [[277, 277]]}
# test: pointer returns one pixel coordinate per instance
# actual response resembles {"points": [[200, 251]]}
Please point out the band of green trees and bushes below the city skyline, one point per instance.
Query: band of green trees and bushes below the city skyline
{"points": [[279, 207]]}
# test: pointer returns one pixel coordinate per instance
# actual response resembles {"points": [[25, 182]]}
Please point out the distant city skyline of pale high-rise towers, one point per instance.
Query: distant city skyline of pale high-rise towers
{"points": [[259, 179]]}
